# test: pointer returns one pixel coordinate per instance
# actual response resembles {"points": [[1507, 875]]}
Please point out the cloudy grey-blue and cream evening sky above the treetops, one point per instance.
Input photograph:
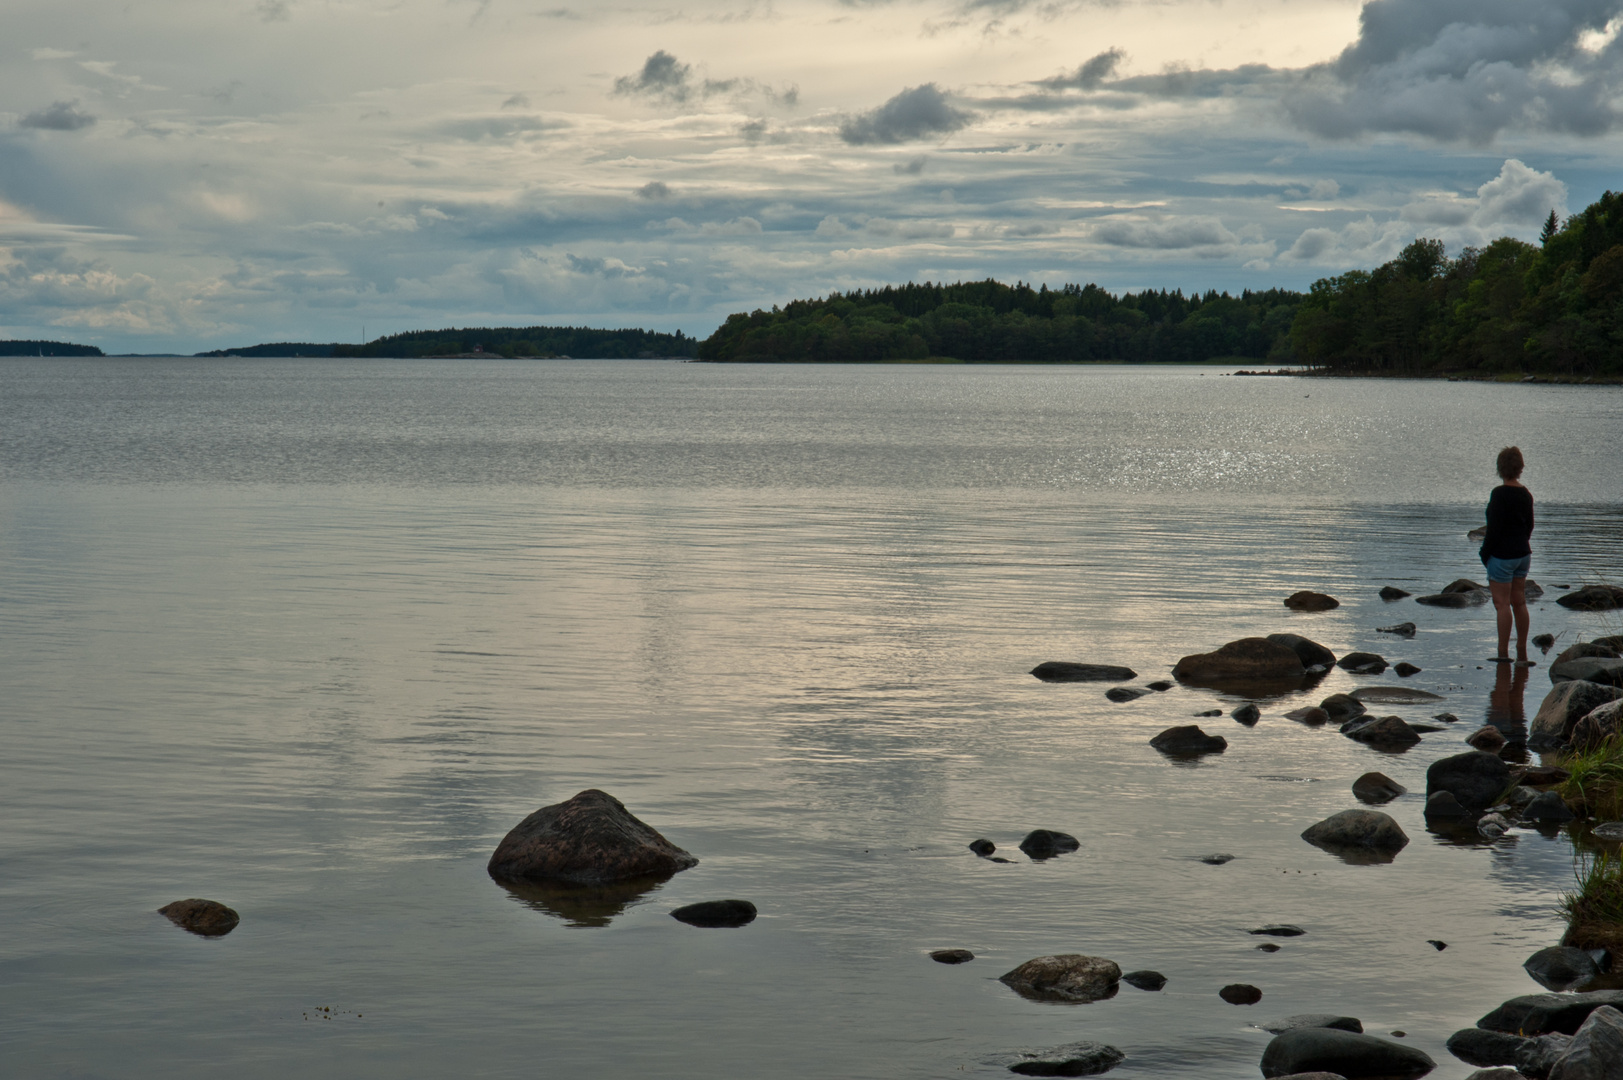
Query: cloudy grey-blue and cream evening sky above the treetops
{"points": [[184, 176]]}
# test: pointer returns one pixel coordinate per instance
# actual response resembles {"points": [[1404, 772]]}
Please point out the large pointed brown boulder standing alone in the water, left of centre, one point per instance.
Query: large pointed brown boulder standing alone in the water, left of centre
{"points": [[592, 839]]}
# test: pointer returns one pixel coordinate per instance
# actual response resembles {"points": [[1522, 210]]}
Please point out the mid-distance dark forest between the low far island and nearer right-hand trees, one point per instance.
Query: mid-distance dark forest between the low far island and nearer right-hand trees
{"points": [[988, 322]]}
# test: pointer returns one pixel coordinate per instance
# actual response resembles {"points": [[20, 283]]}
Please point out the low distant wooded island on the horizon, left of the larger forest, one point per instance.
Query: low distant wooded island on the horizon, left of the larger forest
{"points": [[538, 342]]}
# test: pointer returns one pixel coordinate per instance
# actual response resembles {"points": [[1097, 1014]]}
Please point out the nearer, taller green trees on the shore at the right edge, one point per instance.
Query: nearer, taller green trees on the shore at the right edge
{"points": [[1512, 306]]}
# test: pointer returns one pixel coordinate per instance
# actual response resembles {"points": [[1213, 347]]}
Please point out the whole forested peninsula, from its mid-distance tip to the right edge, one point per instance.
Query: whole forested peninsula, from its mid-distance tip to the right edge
{"points": [[1552, 308]]}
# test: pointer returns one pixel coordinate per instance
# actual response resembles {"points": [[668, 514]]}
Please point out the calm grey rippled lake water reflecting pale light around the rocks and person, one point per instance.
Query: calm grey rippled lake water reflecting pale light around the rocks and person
{"points": [[309, 637]]}
